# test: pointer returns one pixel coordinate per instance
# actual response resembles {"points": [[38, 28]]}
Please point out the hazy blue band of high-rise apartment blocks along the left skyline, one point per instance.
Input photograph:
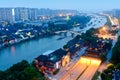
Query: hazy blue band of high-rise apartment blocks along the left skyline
{"points": [[23, 14]]}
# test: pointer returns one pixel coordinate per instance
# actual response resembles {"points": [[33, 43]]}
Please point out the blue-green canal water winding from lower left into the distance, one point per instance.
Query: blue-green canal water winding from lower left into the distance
{"points": [[31, 49]]}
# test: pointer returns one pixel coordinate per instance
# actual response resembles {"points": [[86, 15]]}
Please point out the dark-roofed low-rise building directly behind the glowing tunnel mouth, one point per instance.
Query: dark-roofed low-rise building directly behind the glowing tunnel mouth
{"points": [[98, 48]]}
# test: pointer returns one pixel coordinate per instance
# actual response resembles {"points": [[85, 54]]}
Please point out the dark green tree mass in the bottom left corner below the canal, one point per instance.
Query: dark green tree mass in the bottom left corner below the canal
{"points": [[21, 71]]}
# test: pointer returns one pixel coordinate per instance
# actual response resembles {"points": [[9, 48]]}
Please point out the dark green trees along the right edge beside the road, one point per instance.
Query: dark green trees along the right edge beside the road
{"points": [[107, 74]]}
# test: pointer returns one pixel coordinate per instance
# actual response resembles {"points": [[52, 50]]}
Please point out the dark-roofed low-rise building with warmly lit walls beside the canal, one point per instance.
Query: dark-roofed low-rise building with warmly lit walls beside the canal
{"points": [[55, 60]]}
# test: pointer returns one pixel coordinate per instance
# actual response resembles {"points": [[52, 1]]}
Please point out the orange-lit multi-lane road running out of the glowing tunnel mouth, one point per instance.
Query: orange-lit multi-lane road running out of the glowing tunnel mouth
{"points": [[85, 68]]}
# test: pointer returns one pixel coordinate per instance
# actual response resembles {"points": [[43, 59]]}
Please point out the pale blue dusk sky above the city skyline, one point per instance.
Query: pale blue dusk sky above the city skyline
{"points": [[64, 4]]}
